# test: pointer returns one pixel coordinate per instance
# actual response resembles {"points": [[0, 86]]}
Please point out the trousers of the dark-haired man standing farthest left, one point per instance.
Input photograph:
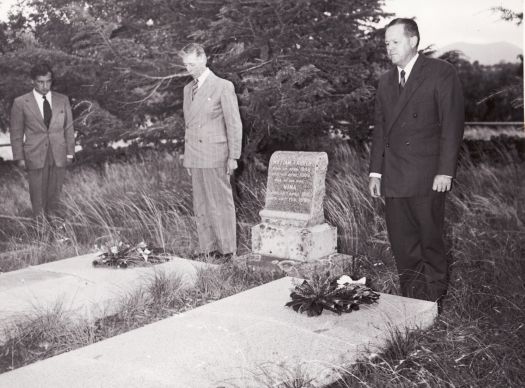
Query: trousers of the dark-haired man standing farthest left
{"points": [[45, 185]]}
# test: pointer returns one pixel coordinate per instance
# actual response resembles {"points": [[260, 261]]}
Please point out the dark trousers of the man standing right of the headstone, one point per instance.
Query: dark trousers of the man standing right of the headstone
{"points": [[415, 229]]}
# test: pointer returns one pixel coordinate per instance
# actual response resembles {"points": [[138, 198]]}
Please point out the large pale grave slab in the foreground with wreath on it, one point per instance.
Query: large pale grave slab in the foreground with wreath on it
{"points": [[234, 342]]}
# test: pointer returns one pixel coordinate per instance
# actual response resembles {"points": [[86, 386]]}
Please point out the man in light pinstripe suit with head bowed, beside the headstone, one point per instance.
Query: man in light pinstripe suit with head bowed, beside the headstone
{"points": [[212, 146]]}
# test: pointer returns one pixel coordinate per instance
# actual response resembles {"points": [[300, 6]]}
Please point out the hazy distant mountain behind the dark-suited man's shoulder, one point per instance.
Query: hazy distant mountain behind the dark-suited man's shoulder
{"points": [[485, 54]]}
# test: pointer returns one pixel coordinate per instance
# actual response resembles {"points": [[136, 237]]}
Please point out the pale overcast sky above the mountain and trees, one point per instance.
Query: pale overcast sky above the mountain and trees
{"points": [[441, 22]]}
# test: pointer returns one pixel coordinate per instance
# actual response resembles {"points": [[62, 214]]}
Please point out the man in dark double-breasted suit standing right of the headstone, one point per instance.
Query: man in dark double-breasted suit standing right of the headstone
{"points": [[419, 120]]}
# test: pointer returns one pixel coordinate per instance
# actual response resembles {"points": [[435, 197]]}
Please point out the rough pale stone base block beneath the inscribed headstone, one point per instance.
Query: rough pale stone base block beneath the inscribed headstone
{"points": [[294, 243]]}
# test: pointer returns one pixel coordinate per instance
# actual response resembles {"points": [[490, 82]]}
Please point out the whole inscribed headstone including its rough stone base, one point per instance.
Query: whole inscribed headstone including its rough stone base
{"points": [[292, 221]]}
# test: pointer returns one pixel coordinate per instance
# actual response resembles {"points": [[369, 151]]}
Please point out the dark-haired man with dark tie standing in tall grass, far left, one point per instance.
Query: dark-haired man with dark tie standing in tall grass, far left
{"points": [[43, 139]]}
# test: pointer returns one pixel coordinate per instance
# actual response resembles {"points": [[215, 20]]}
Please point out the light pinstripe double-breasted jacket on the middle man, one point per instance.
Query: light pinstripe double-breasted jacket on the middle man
{"points": [[213, 124]]}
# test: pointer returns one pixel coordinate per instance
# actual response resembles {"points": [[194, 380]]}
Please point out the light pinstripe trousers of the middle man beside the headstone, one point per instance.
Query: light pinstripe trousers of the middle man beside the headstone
{"points": [[214, 210]]}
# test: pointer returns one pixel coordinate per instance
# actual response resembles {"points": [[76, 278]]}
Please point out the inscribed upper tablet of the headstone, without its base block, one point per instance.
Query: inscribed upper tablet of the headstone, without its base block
{"points": [[295, 189]]}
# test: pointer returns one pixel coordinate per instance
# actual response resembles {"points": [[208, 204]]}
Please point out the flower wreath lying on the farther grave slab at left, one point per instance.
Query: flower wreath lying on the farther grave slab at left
{"points": [[121, 255]]}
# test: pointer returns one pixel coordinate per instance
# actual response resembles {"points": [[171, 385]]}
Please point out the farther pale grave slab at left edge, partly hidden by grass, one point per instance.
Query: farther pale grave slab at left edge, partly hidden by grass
{"points": [[84, 291]]}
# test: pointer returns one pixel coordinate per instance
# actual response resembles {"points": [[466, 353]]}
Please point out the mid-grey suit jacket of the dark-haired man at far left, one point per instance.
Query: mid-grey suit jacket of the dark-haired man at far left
{"points": [[30, 138]]}
